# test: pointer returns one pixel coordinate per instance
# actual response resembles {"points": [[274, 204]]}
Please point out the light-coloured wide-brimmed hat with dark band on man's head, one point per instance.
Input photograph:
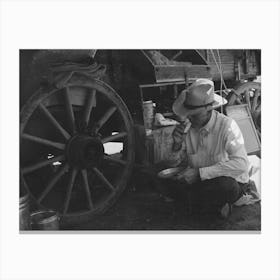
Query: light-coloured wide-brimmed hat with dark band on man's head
{"points": [[198, 95]]}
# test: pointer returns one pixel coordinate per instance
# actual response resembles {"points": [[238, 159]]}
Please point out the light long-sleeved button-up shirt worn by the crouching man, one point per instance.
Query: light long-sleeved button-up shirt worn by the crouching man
{"points": [[217, 149]]}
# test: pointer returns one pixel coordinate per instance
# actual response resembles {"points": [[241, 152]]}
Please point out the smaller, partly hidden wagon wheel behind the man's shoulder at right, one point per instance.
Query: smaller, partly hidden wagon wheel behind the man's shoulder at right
{"points": [[249, 93]]}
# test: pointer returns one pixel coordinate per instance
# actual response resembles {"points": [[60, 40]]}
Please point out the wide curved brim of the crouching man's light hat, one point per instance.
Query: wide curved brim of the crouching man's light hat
{"points": [[180, 110]]}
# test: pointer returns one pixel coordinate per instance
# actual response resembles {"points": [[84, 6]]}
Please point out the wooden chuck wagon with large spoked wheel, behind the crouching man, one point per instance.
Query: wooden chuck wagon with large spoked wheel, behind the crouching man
{"points": [[78, 106]]}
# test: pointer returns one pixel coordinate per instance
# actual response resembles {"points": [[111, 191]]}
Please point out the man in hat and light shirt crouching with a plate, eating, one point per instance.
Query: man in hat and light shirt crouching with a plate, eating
{"points": [[211, 147]]}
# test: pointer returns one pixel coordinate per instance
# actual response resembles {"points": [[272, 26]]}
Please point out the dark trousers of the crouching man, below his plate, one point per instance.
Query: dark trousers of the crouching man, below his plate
{"points": [[204, 196]]}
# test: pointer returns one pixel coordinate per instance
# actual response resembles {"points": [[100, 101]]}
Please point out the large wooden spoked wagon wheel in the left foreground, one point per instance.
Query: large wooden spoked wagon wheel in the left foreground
{"points": [[66, 138]]}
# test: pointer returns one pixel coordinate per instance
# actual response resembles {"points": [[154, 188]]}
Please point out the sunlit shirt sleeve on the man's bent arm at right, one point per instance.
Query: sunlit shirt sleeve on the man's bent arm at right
{"points": [[237, 162]]}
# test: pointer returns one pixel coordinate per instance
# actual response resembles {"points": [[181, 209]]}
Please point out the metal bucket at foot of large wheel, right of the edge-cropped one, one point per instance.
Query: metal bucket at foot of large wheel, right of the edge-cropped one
{"points": [[45, 220]]}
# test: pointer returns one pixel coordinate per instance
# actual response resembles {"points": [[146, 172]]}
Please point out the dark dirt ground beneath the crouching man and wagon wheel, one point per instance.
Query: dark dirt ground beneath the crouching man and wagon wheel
{"points": [[143, 208]]}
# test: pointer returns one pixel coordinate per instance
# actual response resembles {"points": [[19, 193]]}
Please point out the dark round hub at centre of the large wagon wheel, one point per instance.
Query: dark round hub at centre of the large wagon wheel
{"points": [[84, 151]]}
